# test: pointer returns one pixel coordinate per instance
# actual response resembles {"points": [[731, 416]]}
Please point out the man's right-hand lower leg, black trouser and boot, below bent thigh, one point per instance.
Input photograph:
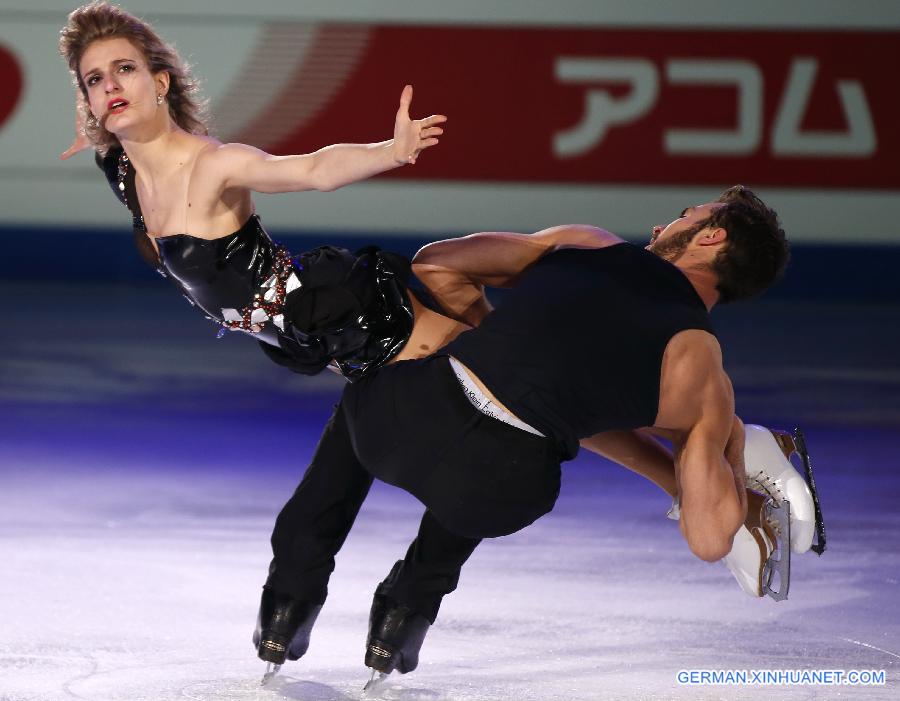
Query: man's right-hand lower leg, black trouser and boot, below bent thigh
{"points": [[406, 603]]}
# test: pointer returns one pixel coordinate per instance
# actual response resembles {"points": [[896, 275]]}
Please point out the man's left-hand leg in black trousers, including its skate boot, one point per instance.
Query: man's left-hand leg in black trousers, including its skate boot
{"points": [[308, 533]]}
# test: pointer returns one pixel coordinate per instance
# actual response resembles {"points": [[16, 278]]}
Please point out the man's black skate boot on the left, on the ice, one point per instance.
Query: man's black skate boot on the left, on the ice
{"points": [[283, 627]]}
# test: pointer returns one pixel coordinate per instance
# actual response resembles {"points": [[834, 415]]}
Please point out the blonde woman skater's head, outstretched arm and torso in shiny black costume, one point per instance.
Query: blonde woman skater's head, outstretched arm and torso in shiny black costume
{"points": [[193, 214]]}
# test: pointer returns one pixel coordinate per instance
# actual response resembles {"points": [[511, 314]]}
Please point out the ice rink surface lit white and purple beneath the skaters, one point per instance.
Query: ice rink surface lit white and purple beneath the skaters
{"points": [[141, 470]]}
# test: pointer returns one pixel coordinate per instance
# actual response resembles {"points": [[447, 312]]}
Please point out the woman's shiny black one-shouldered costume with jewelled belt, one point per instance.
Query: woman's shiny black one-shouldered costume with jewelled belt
{"points": [[323, 305]]}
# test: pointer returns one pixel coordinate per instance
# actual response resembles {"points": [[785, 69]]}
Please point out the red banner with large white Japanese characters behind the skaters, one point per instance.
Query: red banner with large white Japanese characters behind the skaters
{"points": [[796, 109]]}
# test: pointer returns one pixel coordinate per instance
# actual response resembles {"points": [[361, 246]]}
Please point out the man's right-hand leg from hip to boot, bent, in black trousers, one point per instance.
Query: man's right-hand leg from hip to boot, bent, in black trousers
{"points": [[414, 427]]}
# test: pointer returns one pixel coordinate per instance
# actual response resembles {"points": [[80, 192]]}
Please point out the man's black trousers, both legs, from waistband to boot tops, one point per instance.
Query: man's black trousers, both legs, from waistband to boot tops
{"points": [[410, 425]]}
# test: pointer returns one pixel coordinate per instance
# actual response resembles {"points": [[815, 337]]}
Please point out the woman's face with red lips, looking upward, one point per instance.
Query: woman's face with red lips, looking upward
{"points": [[121, 91]]}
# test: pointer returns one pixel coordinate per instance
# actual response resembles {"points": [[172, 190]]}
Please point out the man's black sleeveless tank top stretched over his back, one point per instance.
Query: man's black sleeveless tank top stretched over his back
{"points": [[576, 347]]}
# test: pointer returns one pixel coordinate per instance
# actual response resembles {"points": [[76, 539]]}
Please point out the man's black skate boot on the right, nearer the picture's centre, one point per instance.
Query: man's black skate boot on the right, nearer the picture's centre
{"points": [[396, 634]]}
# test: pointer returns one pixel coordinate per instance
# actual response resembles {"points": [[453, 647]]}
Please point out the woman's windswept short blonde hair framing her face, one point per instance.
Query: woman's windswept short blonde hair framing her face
{"points": [[100, 20]]}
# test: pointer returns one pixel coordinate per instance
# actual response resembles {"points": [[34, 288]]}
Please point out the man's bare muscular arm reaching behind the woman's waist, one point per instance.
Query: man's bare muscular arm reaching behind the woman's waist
{"points": [[456, 271]]}
